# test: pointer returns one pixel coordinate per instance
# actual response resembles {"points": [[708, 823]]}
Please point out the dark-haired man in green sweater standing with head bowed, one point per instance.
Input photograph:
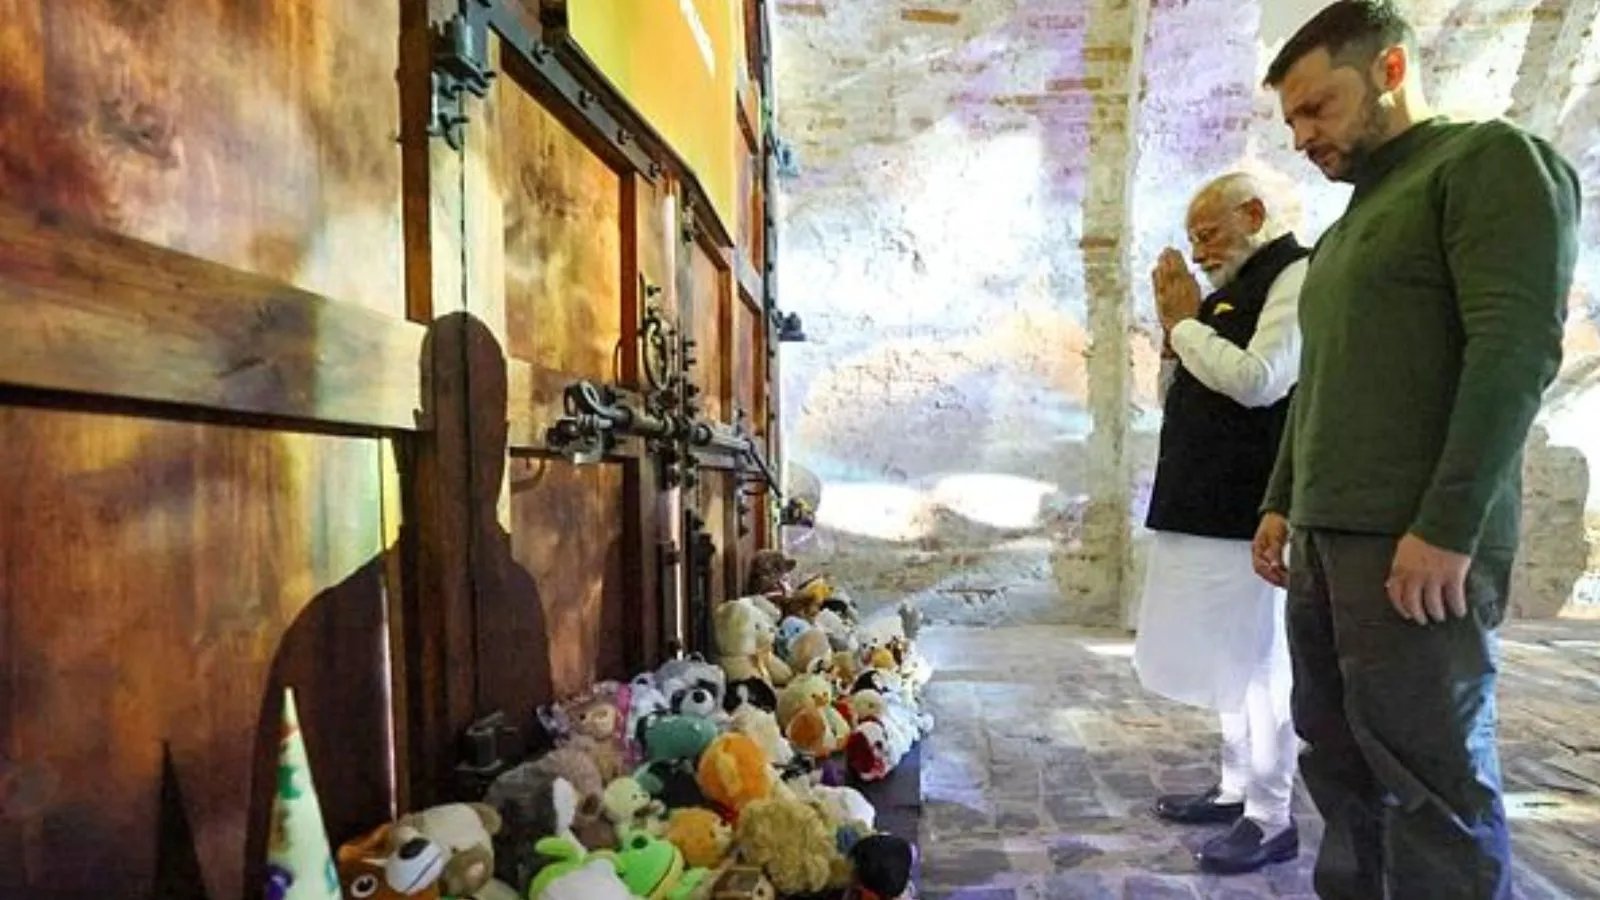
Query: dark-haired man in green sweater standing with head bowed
{"points": [[1433, 321]]}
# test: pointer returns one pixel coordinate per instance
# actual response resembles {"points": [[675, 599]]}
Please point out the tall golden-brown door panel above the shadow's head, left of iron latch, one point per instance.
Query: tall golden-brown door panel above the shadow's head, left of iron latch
{"points": [[564, 259]]}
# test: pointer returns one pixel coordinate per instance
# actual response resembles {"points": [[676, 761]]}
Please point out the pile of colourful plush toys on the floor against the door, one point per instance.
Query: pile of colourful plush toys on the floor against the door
{"points": [[718, 781]]}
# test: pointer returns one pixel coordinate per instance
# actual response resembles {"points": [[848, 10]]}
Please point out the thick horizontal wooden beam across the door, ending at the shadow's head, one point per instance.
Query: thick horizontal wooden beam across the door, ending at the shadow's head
{"points": [[95, 313]]}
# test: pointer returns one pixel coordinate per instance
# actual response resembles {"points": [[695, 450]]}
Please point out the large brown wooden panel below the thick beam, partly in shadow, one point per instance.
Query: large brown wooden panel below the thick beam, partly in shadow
{"points": [[159, 584]]}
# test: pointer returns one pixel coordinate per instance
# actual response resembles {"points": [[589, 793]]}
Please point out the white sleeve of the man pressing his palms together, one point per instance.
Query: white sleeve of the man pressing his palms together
{"points": [[1262, 374]]}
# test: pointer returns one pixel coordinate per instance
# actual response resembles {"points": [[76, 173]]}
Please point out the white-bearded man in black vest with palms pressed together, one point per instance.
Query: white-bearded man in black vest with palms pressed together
{"points": [[1210, 632]]}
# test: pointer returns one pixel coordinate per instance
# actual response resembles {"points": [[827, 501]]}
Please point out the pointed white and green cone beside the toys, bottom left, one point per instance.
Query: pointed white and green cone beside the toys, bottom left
{"points": [[300, 862]]}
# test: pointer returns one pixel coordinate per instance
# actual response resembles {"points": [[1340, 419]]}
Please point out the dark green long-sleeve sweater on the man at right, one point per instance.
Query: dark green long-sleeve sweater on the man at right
{"points": [[1433, 323]]}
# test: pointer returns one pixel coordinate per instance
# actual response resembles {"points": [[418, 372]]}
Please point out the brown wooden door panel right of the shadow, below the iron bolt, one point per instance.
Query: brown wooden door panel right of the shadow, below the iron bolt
{"points": [[558, 625]]}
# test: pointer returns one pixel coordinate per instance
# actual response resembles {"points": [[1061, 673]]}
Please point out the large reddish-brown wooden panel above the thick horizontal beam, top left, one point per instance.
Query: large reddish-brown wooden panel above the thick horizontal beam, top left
{"points": [[255, 135]]}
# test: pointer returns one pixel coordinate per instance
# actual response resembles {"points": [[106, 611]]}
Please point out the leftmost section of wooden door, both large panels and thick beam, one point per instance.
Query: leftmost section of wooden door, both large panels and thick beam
{"points": [[206, 369]]}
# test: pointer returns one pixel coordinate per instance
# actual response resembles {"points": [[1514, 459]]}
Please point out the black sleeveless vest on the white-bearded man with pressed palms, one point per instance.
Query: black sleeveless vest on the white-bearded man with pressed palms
{"points": [[1218, 456]]}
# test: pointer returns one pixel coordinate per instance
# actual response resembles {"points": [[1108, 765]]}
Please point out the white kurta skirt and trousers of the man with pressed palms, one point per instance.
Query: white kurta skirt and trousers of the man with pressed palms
{"points": [[1212, 635]]}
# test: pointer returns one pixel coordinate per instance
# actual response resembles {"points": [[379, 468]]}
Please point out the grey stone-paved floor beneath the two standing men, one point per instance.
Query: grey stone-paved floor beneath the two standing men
{"points": [[1047, 755]]}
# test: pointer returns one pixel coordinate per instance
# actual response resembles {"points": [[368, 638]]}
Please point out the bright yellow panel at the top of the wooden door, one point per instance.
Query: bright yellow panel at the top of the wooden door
{"points": [[678, 63]]}
